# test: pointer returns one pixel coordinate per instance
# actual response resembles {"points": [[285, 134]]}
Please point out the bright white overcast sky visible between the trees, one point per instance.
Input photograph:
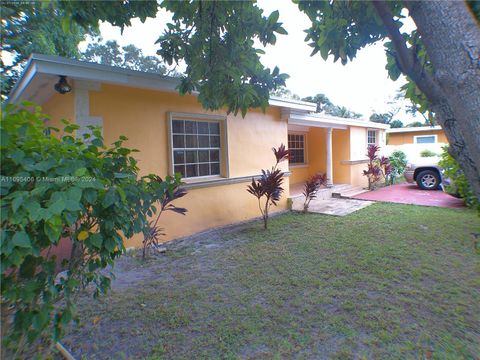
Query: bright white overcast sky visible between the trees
{"points": [[362, 85]]}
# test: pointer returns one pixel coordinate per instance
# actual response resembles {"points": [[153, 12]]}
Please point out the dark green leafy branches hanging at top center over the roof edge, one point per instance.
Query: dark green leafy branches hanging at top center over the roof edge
{"points": [[216, 40]]}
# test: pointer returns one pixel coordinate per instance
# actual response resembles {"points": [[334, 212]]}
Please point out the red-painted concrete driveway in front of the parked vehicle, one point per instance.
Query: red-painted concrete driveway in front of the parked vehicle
{"points": [[406, 193]]}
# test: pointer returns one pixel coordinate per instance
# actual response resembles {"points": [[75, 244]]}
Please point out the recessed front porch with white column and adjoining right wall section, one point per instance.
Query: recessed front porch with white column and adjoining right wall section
{"points": [[330, 145]]}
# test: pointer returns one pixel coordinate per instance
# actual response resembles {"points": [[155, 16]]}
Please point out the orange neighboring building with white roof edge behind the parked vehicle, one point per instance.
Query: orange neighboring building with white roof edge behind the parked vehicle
{"points": [[412, 140]]}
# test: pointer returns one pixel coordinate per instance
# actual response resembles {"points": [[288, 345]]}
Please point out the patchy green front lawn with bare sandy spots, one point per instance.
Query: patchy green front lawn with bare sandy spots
{"points": [[388, 282]]}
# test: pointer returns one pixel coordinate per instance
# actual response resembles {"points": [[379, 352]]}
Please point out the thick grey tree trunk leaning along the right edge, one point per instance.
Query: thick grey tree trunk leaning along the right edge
{"points": [[451, 36]]}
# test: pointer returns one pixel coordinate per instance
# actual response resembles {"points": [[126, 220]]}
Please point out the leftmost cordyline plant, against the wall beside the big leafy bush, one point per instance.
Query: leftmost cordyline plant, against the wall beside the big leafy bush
{"points": [[163, 192]]}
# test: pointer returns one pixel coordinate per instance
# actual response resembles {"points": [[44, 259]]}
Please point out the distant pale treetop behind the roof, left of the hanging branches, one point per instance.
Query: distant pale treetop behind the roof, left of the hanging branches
{"points": [[129, 57]]}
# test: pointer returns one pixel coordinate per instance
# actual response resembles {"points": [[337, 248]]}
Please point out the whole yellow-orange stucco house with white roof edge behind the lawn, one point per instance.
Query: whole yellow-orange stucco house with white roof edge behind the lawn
{"points": [[217, 154]]}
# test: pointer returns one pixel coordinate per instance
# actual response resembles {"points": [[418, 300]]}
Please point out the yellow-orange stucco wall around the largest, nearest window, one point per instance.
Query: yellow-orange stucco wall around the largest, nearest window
{"points": [[142, 116]]}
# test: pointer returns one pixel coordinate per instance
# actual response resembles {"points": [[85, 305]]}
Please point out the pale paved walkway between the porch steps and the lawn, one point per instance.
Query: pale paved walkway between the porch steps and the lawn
{"points": [[332, 206]]}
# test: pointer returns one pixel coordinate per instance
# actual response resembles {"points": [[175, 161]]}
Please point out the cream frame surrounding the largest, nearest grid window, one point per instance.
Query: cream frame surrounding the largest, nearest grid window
{"points": [[224, 166]]}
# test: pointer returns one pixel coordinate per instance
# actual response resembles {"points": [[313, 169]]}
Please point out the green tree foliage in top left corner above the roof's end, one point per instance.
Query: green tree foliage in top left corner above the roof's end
{"points": [[33, 27]]}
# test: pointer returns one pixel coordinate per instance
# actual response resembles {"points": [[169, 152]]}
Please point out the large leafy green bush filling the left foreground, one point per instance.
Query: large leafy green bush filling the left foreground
{"points": [[52, 186]]}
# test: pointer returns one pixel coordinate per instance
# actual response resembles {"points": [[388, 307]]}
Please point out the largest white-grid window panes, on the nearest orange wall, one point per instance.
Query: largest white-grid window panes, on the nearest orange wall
{"points": [[196, 147]]}
